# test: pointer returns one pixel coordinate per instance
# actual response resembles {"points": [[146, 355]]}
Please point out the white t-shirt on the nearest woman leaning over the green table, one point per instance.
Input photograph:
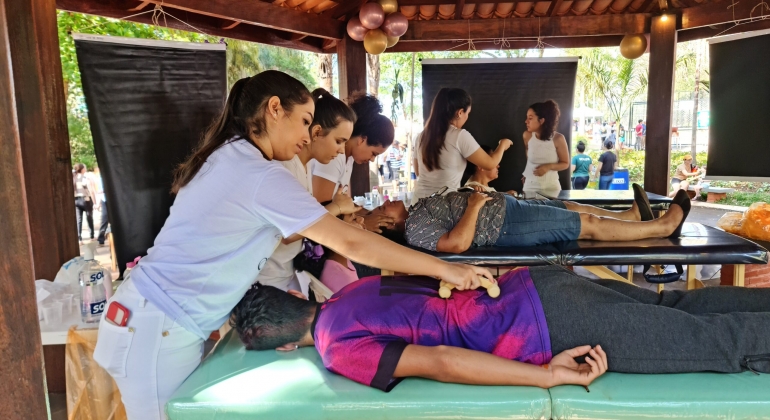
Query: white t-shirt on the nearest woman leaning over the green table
{"points": [[222, 228]]}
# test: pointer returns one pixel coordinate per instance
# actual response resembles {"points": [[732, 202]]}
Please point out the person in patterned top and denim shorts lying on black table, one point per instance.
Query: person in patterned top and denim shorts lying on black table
{"points": [[460, 220]]}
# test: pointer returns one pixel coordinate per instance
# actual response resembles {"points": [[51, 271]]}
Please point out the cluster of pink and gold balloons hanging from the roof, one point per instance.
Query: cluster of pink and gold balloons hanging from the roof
{"points": [[379, 25]]}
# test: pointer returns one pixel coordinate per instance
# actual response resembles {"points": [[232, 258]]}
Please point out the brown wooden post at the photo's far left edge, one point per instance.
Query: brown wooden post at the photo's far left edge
{"points": [[22, 390]]}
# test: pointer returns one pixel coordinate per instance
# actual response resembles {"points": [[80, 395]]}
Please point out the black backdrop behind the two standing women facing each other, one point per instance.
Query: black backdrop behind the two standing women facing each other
{"points": [[502, 91]]}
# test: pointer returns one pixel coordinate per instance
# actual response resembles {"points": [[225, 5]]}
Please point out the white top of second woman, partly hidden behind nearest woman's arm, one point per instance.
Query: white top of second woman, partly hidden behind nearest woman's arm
{"points": [[279, 269]]}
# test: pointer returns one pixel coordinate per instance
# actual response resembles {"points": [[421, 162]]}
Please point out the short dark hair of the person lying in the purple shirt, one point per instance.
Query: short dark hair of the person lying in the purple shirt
{"points": [[267, 318]]}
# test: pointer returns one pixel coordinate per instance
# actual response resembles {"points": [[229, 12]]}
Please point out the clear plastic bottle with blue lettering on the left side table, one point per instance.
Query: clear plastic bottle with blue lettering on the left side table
{"points": [[93, 291]]}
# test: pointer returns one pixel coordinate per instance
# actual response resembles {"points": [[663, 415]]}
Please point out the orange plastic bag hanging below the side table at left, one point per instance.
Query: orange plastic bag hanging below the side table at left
{"points": [[91, 392]]}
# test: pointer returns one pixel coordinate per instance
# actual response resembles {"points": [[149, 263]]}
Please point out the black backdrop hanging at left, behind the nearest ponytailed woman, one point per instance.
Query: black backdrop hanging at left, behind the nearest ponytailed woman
{"points": [[149, 104]]}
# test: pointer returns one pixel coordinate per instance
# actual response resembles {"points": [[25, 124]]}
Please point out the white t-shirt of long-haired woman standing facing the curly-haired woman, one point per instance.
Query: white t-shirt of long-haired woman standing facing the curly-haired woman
{"points": [[459, 144]]}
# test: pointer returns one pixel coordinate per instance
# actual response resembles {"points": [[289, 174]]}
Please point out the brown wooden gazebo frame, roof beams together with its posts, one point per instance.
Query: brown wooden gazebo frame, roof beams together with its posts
{"points": [[38, 231]]}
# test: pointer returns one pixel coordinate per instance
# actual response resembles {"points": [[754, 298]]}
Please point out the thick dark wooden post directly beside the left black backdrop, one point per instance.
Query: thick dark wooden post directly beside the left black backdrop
{"points": [[42, 120]]}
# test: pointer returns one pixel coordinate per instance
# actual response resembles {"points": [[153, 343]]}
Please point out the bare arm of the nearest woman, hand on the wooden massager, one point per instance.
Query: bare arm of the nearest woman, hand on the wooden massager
{"points": [[374, 250]]}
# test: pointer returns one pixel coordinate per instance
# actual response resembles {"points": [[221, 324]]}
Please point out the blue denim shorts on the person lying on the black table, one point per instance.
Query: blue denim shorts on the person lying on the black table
{"points": [[537, 222]]}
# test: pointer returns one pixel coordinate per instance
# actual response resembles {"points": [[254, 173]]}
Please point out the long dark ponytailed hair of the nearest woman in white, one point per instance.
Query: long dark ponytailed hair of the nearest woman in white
{"points": [[242, 116]]}
